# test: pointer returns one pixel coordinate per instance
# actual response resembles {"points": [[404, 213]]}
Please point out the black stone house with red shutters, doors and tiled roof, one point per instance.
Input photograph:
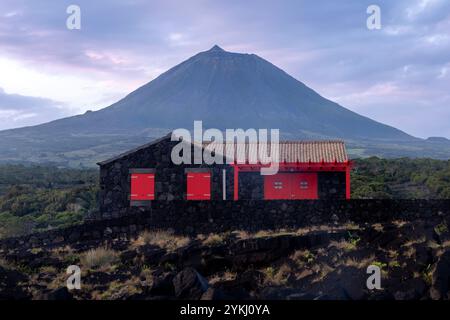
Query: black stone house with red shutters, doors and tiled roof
{"points": [[307, 170]]}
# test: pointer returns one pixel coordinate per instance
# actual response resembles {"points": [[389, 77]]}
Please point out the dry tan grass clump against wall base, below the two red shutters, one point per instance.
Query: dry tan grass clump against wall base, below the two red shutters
{"points": [[163, 239]]}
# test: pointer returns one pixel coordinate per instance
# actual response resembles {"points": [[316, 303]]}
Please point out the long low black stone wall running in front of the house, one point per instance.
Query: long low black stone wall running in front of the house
{"points": [[194, 217]]}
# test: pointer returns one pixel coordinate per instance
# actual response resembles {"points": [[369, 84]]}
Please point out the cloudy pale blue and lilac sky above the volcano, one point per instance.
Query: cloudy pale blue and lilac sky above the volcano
{"points": [[398, 75]]}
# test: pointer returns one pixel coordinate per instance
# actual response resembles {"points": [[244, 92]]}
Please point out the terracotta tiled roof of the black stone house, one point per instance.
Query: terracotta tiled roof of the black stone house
{"points": [[290, 151]]}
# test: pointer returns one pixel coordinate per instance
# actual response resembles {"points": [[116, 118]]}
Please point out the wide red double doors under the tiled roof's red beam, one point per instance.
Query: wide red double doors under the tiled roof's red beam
{"points": [[291, 186]]}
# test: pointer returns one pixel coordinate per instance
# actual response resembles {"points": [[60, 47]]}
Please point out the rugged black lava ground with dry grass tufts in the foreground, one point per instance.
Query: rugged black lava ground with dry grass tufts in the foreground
{"points": [[323, 262]]}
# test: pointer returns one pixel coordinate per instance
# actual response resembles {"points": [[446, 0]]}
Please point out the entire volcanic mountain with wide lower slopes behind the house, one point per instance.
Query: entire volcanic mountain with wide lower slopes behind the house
{"points": [[225, 90]]}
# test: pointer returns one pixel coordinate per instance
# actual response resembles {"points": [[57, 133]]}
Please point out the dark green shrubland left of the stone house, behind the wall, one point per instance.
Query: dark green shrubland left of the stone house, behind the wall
{"points": [[41, 198]]}
